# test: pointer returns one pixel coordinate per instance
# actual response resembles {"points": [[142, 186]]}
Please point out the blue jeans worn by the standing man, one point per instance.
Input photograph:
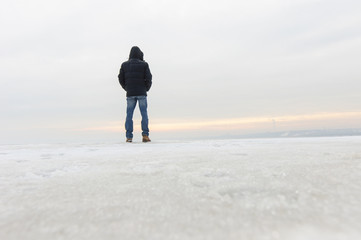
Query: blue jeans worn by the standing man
{"points": [[131, 103]]}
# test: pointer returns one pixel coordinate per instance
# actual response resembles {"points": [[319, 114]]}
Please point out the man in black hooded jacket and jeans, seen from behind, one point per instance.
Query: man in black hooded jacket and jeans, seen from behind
{"points": [[136, 79]]}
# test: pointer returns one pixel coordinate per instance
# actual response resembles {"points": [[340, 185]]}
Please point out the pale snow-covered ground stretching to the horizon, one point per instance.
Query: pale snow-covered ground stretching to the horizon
{"points": [[304, 188]]}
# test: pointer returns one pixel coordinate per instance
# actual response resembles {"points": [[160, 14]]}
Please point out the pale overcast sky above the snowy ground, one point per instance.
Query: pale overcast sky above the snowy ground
{"points": [[217, 63]]}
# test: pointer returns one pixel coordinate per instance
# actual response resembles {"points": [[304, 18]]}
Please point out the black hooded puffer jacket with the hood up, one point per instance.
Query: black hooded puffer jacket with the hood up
{"points": [[134, 75]]}
